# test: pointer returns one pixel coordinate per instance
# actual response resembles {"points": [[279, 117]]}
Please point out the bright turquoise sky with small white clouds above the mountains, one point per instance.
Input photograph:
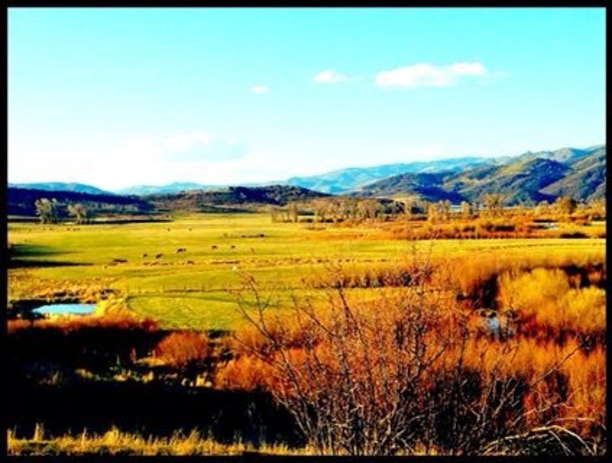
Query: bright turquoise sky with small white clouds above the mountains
{"points": [[117, 97]]}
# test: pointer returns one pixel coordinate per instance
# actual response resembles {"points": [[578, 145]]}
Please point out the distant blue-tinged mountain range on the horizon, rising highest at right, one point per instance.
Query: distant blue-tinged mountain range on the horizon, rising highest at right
{"points": [[529, 177]]}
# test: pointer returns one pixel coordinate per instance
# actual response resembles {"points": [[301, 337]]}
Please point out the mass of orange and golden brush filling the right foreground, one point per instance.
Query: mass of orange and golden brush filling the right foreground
{"points": [[354, 352]]}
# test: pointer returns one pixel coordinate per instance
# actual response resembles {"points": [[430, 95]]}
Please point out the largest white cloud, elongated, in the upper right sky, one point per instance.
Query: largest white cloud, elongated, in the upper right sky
{"points": [[429, 75]]}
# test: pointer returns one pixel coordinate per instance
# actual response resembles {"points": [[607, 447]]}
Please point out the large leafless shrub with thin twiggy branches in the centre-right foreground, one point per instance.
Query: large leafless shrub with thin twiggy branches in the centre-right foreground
{"points": [[403, 374]]}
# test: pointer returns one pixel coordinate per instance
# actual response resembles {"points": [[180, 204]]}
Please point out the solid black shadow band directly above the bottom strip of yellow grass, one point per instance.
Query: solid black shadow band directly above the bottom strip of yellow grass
{"points": [[149, 409]]}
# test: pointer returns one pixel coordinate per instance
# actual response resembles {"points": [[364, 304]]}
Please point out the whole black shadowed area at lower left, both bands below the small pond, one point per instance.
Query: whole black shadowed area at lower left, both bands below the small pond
{"points": [[45, 388]]}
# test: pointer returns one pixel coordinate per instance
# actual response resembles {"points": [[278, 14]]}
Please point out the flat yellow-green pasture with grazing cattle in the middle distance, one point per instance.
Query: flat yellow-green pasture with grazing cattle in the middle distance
{"points": [[194, 288]]}
